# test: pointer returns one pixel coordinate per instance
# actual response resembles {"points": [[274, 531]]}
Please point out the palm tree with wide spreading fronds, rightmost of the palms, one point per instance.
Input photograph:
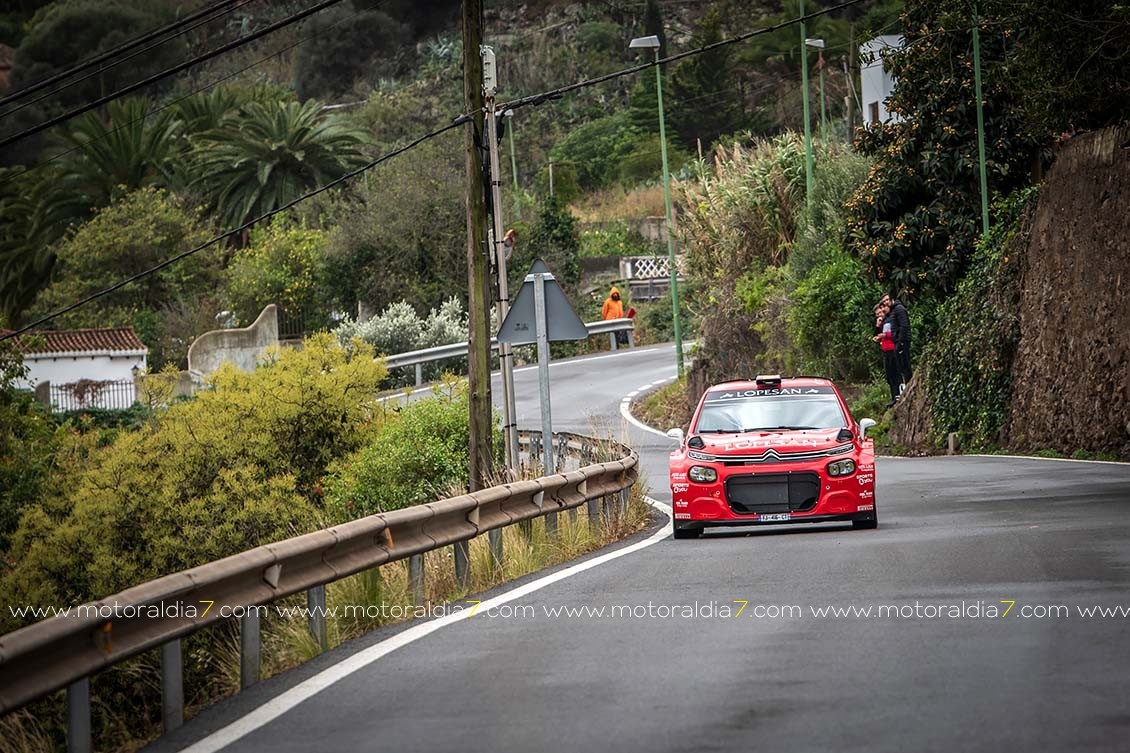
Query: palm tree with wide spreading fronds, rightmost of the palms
{"points": [[268, 154]]}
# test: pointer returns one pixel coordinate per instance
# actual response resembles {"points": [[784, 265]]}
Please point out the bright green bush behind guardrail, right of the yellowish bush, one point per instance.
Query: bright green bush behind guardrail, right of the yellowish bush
{"points": [[420, 456]]}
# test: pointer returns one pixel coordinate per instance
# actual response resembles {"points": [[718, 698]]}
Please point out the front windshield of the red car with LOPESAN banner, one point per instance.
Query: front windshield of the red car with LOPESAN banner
{"points": [[772, 410]]}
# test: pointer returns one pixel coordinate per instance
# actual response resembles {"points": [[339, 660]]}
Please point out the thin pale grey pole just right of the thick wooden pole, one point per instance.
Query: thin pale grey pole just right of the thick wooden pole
{"points": [[506, 356]]}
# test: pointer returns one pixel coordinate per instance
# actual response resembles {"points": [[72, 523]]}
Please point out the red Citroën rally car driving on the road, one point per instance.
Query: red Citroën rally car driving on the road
{"points": [[772, 452]]}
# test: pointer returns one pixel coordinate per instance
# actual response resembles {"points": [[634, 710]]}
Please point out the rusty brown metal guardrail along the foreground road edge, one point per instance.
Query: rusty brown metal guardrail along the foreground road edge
{"points": [[64, 652]]}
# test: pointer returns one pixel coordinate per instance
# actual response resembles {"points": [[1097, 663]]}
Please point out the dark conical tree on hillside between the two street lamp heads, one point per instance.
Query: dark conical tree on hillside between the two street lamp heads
{"points": [[705, 90]]}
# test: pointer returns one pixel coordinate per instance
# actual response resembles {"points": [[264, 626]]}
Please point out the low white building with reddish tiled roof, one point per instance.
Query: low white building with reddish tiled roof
{"points": [[85, 368]]}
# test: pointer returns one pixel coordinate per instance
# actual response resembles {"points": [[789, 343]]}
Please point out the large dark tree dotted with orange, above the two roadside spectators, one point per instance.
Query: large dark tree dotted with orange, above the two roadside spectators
{"points": [[917, 218]]}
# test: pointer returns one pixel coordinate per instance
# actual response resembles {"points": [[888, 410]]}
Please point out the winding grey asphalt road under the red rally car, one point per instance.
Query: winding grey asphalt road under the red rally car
{"points": [[977, 531]]}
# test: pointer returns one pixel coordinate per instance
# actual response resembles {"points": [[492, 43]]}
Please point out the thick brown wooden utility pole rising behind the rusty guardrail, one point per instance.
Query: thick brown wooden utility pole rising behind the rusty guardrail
{"points": [[479, 291]]}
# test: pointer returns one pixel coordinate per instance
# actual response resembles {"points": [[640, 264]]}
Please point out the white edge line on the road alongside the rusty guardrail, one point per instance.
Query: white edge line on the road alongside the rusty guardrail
{"points": [[288, 700]]}
